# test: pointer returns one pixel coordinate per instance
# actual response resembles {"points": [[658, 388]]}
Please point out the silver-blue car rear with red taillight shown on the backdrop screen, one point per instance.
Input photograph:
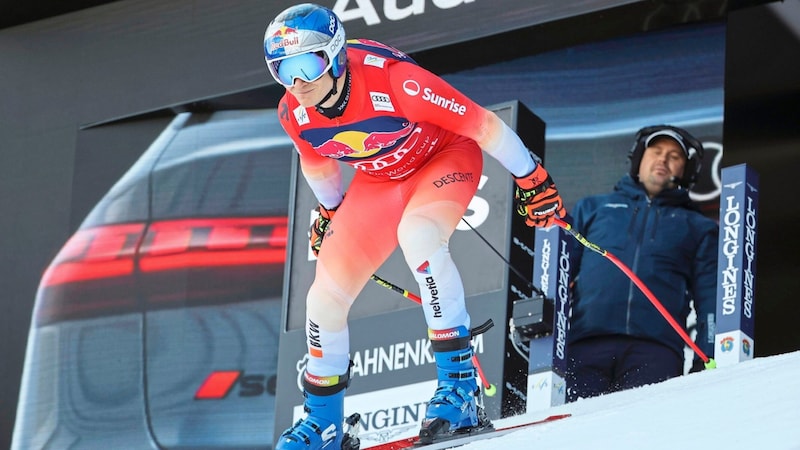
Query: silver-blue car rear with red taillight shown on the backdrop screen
{"points": [[157, 323]]}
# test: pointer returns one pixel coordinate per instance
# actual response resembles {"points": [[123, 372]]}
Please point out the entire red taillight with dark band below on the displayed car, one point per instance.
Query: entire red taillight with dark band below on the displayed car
{"points": [[123, 268]]}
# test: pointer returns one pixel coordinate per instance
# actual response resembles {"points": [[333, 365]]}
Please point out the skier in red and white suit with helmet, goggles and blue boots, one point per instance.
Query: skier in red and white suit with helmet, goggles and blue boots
{"points": [[415, 143]]}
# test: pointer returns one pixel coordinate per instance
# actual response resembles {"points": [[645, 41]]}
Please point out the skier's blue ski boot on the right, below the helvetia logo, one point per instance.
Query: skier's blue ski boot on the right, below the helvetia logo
{"points": [[454, 407]]}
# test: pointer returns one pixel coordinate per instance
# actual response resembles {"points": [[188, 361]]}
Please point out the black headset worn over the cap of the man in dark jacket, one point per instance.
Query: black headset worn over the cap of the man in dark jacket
{"points": [[692, 147]]}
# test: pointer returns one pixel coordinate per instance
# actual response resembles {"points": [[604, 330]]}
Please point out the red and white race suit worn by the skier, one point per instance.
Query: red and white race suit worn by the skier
{"points": [[416, 144]]}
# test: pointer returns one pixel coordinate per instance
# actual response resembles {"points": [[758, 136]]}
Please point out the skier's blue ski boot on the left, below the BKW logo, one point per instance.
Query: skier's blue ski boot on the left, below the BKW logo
{"points": [[322, 428]]}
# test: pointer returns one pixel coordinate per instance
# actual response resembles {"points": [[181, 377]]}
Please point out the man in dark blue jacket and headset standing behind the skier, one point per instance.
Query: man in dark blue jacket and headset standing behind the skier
{"points": [[617, 338]]}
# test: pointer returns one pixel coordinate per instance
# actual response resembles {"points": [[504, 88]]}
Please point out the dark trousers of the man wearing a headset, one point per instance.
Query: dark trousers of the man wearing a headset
{"points": [[605, 364]]}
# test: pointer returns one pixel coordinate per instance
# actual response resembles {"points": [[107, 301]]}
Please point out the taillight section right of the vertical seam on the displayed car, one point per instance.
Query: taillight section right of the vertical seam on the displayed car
{"points": [[209, 261]]}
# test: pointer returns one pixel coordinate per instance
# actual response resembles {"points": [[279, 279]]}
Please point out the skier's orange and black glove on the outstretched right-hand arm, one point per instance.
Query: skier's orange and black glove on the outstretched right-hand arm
{"points": [[537, 198]]}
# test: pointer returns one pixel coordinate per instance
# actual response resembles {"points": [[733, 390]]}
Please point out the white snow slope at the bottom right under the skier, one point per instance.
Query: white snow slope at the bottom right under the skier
{"points": [[751, 405]]}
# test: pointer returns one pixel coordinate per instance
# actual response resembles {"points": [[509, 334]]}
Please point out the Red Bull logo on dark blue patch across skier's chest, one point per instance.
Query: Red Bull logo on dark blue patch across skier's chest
{"points": [[355, 142]]}
